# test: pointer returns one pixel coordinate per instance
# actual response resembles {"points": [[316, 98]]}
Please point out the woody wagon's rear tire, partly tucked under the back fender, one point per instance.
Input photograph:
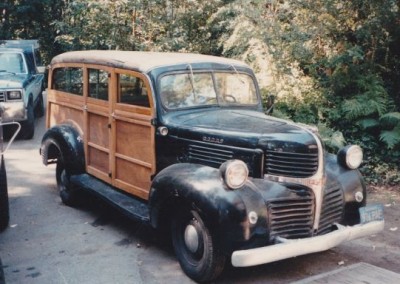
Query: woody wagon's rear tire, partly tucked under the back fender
{"points": [[68, 193]]}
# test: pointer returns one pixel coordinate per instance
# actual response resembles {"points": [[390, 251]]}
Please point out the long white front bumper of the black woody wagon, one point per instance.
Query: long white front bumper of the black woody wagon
{"points": [[291, 248]]}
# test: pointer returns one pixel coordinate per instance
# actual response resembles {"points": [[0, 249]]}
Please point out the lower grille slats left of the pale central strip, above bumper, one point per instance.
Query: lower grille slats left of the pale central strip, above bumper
{"points": [[291, 217]]}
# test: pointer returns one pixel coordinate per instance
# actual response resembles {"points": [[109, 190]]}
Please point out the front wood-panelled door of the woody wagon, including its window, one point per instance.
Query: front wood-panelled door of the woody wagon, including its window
{"points": [[133, 135]]}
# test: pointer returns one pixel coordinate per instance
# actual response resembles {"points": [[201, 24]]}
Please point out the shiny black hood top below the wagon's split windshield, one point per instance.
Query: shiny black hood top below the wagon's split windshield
{"points": [[240, 128]]}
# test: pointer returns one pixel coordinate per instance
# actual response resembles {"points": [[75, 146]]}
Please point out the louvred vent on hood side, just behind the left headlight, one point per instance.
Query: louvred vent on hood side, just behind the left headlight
{"points": [[209, 155]]}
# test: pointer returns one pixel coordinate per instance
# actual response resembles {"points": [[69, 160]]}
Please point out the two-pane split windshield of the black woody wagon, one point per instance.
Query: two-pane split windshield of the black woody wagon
{"points": [[190, 89]]}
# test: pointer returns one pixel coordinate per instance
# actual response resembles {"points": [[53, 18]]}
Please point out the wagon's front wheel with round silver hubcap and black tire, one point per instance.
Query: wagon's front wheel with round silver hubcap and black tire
{"points": [[195, 247]]}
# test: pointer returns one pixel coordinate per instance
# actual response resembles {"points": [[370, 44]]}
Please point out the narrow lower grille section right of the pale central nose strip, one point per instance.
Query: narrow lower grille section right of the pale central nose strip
{"points": [[332, 208]]}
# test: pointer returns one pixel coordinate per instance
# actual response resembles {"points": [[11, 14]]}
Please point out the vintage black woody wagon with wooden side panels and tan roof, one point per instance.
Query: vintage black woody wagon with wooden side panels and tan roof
{"points": [[181, 142]]}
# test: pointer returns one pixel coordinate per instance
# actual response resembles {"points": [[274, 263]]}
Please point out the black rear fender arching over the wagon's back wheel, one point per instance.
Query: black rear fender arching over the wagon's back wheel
{"points": [[66, 140]]}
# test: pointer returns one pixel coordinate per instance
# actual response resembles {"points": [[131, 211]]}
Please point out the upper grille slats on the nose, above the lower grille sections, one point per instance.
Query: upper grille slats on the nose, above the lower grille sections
{"points": [[289, 164]]}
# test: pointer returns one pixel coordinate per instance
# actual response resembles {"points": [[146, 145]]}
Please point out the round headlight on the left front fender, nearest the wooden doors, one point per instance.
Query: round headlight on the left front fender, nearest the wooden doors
{"points": [[235, 173]]}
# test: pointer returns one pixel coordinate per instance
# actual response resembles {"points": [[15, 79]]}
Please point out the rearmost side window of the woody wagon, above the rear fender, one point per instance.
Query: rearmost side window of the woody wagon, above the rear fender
{"points": [[68, 80]]}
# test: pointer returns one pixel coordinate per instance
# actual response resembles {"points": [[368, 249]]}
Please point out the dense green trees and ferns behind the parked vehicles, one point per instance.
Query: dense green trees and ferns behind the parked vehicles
{"points": [[331, 63]]}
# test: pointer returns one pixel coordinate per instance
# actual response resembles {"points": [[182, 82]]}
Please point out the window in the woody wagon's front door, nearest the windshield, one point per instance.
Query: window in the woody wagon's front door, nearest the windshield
{"points": [[132, 90]]}
